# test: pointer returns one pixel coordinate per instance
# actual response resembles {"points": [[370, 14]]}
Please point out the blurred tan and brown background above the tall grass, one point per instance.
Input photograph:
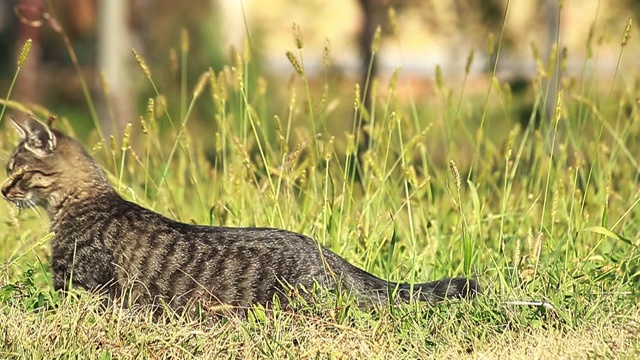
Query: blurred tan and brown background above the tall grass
{"points": [[337, 35]]}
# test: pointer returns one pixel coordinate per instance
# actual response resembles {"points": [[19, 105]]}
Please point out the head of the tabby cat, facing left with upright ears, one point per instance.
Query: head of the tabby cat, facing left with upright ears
{"points": [[46, 167]]}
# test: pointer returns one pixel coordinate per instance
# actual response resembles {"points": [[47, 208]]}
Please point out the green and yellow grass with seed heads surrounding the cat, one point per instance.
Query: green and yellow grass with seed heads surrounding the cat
{"points": [[543, 214]]}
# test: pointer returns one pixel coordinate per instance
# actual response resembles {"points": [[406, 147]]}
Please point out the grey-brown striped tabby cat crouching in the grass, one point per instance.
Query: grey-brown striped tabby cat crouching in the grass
{"points": [[104, 243]]}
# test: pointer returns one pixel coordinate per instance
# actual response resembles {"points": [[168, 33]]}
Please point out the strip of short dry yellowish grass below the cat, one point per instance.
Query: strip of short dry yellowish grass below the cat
{"points": [[80, 328]]}
